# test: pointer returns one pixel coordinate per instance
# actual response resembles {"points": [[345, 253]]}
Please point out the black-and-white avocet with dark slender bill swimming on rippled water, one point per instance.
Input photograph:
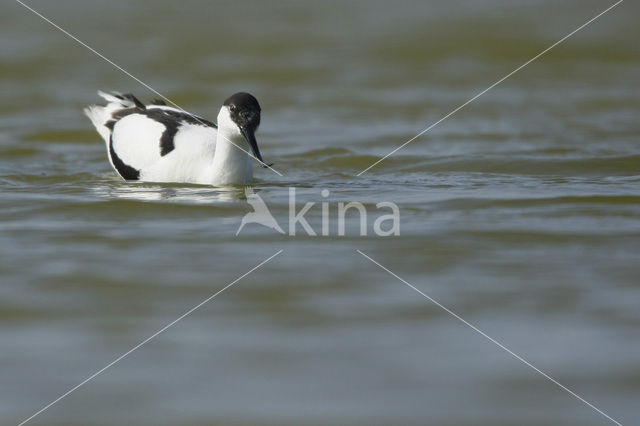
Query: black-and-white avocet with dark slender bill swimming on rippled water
{"points": [[159, 143]]}
